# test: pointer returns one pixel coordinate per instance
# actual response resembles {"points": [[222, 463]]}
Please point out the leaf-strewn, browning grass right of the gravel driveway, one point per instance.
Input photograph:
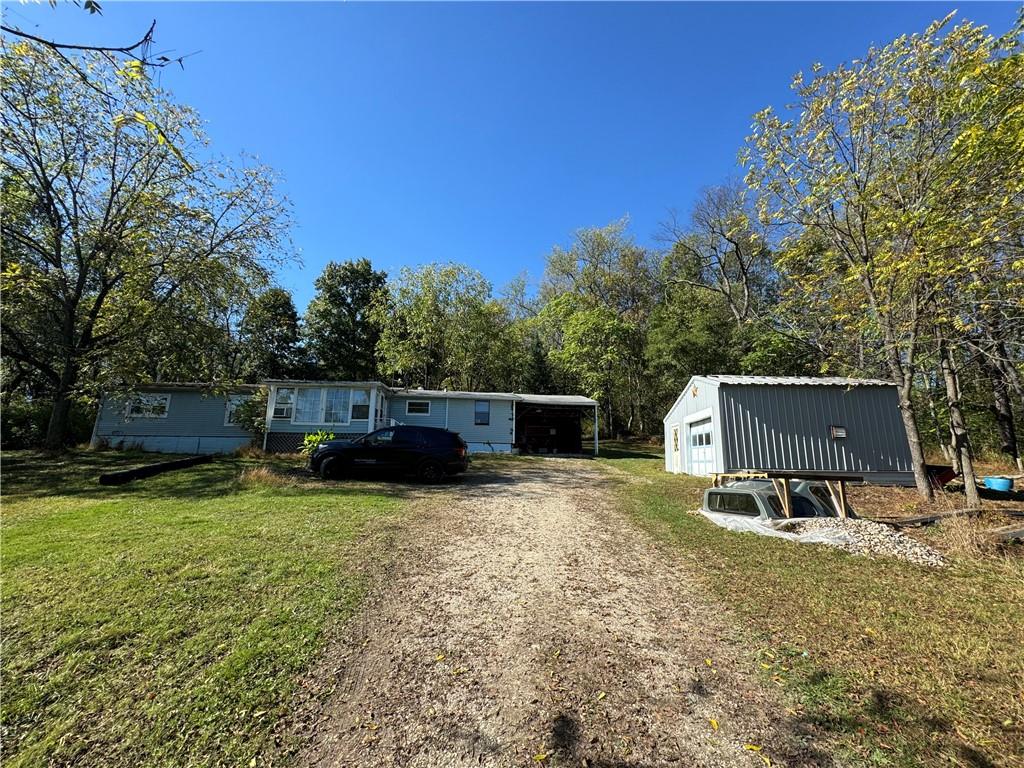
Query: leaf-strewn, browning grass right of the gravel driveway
{"points": [[897, 665]]}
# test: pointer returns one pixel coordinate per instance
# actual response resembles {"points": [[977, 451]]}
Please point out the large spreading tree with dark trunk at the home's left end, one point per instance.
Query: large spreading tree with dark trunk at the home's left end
{"points": [[113, 223]]}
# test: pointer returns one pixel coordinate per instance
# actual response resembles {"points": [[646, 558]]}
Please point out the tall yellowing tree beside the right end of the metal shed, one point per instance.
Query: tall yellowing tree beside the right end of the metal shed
{"points": [[857, 175]]}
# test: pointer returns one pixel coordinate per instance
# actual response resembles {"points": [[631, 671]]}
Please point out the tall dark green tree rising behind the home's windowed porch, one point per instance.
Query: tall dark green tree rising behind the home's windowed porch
{"points": [[339, 329]]}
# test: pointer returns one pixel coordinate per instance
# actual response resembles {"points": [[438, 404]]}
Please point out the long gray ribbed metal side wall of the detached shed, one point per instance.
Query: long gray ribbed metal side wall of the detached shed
{"points": [[788, 428]]}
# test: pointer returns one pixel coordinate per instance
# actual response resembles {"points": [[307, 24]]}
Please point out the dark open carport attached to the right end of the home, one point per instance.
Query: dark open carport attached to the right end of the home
{"points": [[553, 424]]}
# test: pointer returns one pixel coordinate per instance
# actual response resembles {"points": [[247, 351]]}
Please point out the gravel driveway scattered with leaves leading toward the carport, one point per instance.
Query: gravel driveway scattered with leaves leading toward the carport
{"points": [[526, 622]]}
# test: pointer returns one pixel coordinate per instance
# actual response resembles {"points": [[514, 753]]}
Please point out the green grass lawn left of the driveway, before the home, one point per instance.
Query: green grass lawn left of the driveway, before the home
{"points": [[166, 622]]}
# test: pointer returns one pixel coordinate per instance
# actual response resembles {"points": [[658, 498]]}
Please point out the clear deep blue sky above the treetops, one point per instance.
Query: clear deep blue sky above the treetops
{"points": [[486, 134]]}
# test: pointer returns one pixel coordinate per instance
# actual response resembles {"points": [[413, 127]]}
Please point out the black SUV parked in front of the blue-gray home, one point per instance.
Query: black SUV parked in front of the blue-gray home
{"points": [[430, 453]]}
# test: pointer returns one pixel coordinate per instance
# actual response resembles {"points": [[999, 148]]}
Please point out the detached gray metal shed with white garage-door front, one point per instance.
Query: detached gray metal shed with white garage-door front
{"points": [[723, 424]]}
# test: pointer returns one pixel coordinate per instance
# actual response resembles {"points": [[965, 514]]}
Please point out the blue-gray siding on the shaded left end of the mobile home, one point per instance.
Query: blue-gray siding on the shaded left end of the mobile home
{"points": [[195, 423]]}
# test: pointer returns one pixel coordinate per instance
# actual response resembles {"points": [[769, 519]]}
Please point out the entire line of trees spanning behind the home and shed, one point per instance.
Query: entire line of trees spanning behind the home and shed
{"points": [[876, 228]]}
